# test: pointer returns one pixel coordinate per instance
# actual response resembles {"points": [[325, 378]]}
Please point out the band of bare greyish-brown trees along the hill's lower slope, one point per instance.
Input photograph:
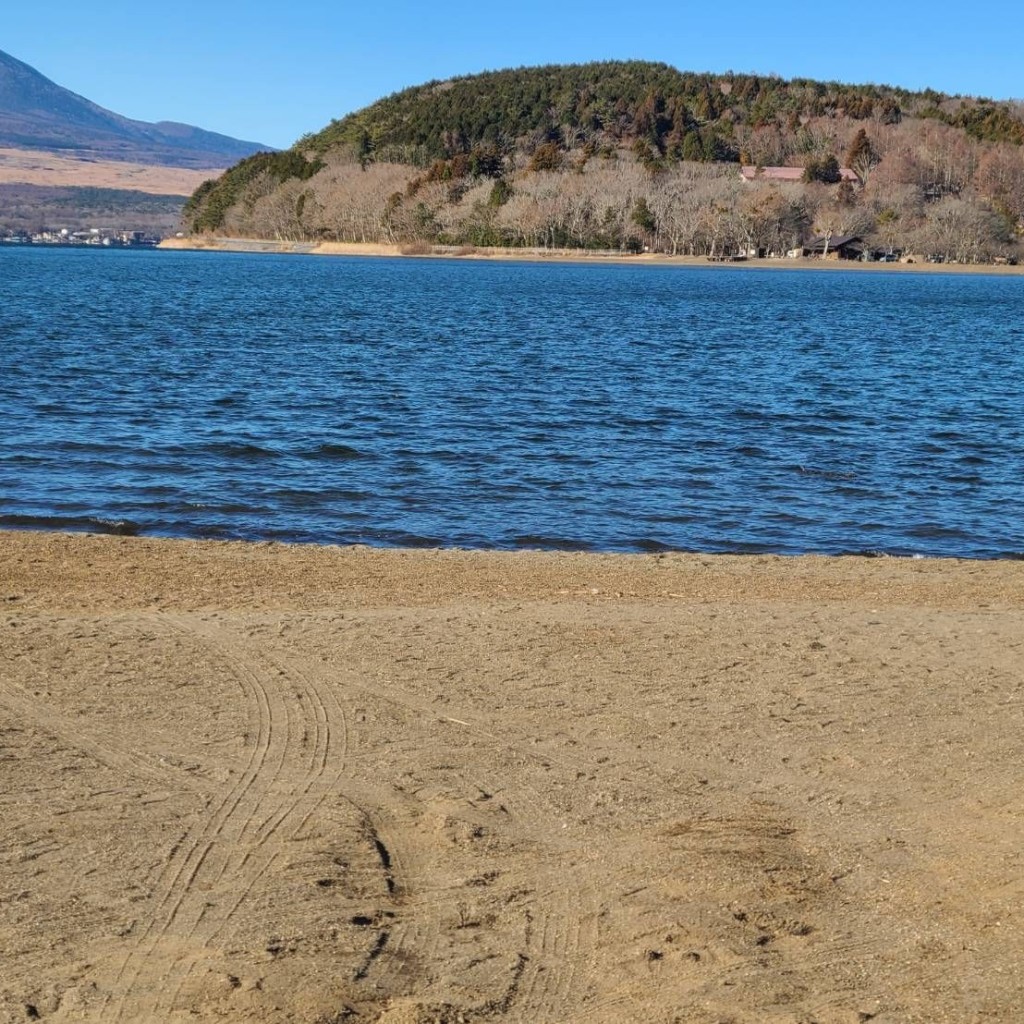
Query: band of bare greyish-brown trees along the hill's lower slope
{"points": [[691, 209]]}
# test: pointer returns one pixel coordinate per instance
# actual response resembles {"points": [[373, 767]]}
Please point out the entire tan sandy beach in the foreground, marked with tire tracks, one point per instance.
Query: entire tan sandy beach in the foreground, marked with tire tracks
{"points": [[266, 784]]}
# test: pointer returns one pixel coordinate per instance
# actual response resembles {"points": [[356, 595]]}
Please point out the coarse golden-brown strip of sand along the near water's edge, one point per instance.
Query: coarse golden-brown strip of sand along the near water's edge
{"points": [[485, 573]]}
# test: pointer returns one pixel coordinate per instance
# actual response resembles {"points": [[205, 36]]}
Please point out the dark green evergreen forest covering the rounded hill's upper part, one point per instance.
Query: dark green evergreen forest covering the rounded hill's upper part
{"points": [[682, 115]]}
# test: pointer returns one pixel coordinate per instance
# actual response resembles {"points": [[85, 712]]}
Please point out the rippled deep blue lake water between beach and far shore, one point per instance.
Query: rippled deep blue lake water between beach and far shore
{"points": [[505, 406]]}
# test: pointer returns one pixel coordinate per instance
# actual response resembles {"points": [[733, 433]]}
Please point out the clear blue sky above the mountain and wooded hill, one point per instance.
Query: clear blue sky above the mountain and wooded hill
{"points": [[272, 71]]}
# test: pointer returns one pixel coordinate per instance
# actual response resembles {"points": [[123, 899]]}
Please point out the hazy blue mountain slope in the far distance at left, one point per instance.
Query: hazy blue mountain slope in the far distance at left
{"points": [[38, 114]]}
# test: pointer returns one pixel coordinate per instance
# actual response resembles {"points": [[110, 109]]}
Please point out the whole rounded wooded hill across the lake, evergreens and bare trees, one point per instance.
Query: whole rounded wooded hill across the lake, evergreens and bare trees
{"points": [[633, 154]]}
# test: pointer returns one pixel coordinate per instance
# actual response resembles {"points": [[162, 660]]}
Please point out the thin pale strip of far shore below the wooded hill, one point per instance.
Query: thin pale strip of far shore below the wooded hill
{"points": [[272, 247]]}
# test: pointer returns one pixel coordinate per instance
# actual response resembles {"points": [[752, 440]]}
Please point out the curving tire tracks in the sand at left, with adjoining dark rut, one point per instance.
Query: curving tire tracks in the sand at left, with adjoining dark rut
{"points": [[295, 764]]}
